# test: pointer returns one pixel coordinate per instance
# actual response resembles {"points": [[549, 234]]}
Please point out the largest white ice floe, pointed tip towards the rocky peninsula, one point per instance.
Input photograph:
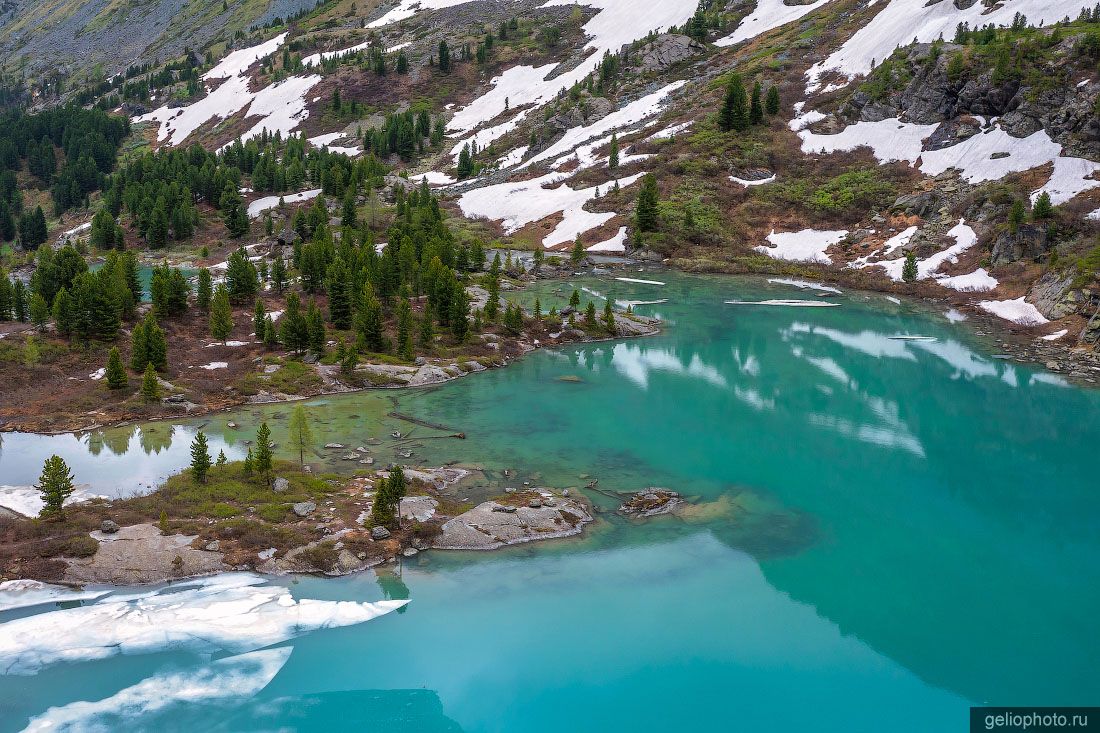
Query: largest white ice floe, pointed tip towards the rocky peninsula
{"points": [[233, 612]]}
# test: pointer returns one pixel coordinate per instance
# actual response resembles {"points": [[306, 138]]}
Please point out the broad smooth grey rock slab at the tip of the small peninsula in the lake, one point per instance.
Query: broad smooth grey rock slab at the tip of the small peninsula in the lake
{"points": [[497, 524]]}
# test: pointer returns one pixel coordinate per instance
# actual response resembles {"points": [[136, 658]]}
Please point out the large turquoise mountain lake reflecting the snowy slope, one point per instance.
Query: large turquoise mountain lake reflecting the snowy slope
{"points": [[887, 533]]}
